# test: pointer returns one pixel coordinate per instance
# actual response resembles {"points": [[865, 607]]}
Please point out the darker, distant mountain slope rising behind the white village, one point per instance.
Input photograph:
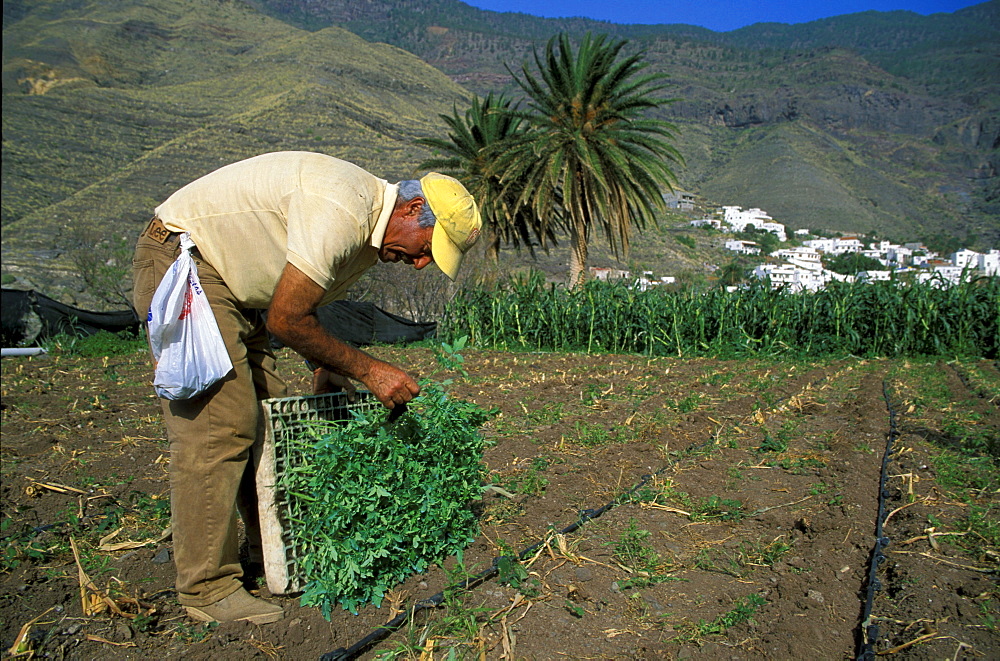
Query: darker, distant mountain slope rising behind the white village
{"points": [[915, 98]]}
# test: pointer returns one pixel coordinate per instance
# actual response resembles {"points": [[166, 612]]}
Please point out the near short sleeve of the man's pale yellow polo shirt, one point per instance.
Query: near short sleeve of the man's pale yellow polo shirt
{"points": [[323, 234]]}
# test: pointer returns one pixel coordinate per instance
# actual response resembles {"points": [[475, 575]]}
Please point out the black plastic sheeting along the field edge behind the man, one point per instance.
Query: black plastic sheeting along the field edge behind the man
{"points": [[28, 316]]}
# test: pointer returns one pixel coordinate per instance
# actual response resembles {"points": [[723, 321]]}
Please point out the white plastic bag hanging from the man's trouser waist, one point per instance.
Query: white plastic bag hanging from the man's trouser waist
{"points": [[187, 346]]}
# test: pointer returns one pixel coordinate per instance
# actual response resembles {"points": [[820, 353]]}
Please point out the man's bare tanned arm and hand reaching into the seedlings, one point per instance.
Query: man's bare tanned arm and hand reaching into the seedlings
{"points": [[292, 319]]}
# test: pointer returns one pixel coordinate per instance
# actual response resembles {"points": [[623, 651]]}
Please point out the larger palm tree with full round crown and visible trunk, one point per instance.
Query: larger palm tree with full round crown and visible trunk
{"points": [[594, 157]]}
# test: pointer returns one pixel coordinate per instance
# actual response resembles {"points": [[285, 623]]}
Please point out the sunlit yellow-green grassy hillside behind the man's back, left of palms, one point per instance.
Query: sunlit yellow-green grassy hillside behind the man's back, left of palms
{"points": [[109, 107]]}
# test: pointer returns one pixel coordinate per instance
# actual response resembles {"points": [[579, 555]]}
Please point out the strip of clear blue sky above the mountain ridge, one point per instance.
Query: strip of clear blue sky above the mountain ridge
{"points": [[718, 15]]}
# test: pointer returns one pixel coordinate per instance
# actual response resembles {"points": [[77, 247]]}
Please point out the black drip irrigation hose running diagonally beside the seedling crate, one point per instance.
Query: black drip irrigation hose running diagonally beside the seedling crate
{"points": [[342, 654]]}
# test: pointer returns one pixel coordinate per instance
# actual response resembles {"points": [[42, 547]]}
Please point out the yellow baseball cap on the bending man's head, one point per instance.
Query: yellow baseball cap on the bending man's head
{"points": [[458, 220]]}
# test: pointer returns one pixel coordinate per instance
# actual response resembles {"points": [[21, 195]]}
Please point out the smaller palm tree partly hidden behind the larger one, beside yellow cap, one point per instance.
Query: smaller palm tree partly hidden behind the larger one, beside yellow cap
{"points": [[473, 142]]}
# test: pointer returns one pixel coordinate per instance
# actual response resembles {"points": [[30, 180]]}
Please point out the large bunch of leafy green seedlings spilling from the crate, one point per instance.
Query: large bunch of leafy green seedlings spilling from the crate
{"points": [[379, 502]]}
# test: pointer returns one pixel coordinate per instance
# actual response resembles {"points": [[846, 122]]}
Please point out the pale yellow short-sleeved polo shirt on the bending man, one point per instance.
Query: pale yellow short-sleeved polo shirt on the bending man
{"points": [[325, 216]]}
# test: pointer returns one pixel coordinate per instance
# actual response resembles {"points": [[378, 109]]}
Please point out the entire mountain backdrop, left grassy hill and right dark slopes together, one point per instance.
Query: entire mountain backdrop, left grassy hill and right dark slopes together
{"points": [[873, 122]]}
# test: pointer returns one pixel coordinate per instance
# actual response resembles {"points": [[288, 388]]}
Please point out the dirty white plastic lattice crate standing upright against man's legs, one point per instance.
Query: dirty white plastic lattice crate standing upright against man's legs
{"points": [[285, 419]]}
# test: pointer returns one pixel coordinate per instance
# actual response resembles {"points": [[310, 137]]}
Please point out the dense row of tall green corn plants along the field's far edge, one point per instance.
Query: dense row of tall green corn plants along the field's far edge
{"points": [[877, 319]]}
